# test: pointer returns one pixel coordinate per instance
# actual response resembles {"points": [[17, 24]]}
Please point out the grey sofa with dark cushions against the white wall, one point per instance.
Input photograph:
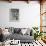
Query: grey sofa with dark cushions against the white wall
{"points": [[17, 35]]}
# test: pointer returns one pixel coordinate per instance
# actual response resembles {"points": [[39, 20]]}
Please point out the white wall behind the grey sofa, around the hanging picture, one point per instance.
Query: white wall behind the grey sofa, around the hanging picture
{"points": [[29, 14]]}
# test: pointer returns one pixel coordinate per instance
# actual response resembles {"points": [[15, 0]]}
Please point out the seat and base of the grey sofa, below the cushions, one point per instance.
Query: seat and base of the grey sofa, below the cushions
{"points": [[22, 38]]}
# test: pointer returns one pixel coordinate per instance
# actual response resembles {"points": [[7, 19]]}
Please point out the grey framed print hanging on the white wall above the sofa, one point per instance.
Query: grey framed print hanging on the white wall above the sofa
{"points": [[14, 15]]}
